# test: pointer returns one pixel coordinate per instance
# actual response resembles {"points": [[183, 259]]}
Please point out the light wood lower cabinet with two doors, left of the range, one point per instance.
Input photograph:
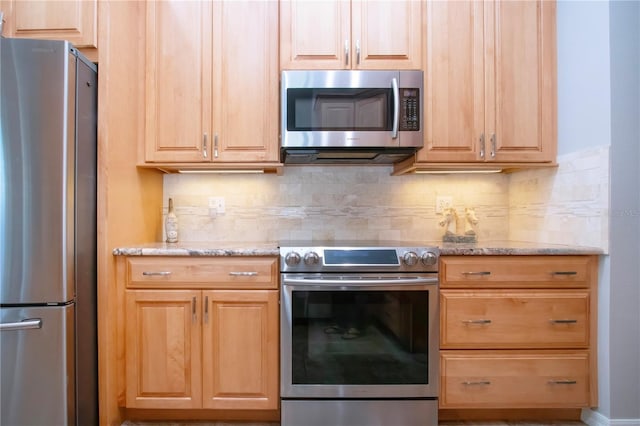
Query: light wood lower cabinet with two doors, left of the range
{"points": [[201, 348]]}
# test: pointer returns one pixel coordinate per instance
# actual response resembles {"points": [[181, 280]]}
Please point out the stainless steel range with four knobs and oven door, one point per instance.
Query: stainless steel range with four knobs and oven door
{"points": [[359, 334]]}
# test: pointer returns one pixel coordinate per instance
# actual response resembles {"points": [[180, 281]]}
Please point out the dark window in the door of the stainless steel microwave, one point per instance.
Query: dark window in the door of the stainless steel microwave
{"points": [[339, 110]]}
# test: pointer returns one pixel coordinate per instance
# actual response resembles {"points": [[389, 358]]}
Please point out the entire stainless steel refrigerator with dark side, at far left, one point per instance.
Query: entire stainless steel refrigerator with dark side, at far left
{"points": [[48, 343]]}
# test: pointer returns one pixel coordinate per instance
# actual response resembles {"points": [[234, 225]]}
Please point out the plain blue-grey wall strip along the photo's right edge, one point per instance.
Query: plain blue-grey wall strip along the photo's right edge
{"points": [[624, 288]]}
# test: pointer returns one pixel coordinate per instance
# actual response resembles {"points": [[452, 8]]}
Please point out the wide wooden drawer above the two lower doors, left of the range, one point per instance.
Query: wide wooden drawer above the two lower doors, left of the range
{"points": [[202, 272]]}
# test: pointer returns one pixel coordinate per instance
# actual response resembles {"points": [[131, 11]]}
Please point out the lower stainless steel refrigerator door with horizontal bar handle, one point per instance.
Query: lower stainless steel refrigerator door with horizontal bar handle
{"points": [[37, 366]]}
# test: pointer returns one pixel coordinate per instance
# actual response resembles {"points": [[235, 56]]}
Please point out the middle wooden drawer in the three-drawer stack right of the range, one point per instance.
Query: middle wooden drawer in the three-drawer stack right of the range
{"points": [[486, 319]]}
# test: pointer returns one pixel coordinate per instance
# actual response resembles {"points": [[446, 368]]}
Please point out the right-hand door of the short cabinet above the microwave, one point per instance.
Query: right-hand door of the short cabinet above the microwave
{"points": [[386, 34]]}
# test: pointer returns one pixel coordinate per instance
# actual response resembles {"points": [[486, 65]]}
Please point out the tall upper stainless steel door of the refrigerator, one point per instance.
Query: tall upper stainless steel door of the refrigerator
{"points": [[37, 110]]}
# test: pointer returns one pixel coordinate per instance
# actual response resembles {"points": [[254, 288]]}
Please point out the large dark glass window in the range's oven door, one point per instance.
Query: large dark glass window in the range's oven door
{"points": [[360, 337]]}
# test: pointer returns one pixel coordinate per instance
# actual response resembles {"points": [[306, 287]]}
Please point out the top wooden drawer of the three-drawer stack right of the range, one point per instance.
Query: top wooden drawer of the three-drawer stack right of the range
{"points": [[517, 271]]}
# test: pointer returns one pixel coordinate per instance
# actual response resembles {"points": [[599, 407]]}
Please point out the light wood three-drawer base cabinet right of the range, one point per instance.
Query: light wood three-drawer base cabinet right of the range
{"points": [[518, 332]]}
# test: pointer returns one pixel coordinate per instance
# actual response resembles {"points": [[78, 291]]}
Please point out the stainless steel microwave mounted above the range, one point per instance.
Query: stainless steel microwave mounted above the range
{"points": [[350, 116]]}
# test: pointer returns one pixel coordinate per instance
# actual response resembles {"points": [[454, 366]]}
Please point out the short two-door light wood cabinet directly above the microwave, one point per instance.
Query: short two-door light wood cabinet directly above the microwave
{"points": [[356, 34]]}
